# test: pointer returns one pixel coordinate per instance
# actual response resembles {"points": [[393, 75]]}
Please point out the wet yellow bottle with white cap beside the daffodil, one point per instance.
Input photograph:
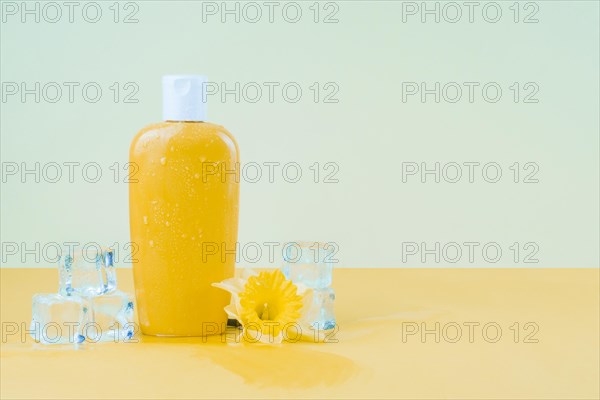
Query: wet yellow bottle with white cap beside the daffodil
{"points": [[183, 207]]}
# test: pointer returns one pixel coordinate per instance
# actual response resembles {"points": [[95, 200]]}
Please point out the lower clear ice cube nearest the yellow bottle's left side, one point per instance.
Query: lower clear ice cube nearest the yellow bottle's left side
{"points": [[112, 317]]}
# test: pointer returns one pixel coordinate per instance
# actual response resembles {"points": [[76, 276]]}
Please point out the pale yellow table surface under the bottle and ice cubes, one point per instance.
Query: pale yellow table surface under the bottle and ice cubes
{"points": [[370, 358]]}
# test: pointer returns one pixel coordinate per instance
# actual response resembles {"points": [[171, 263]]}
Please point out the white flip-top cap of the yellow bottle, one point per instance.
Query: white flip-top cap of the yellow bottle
{"points": [[183, 98]]}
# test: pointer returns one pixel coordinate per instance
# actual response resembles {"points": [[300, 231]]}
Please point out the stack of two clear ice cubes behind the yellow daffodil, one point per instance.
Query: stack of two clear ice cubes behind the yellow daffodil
{"points": [[311, 264]]}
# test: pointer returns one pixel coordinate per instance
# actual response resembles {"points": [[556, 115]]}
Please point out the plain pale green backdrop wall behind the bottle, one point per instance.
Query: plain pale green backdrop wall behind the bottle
{"points": [[360, 57]]}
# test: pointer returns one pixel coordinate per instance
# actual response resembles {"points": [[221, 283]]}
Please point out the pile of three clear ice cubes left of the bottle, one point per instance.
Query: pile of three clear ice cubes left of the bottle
{"points": [[88, 306]]}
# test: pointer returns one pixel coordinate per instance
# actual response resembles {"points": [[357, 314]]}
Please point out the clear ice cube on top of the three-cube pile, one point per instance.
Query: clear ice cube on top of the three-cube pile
{"points": [[86, 272]]}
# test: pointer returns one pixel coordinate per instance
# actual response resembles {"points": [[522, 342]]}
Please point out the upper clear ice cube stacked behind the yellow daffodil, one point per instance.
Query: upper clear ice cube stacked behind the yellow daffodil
{"points": [[309, 263]]}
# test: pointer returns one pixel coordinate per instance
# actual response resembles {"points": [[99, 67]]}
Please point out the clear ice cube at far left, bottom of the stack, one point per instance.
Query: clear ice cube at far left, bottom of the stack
{"points": [[58, 319]]}
